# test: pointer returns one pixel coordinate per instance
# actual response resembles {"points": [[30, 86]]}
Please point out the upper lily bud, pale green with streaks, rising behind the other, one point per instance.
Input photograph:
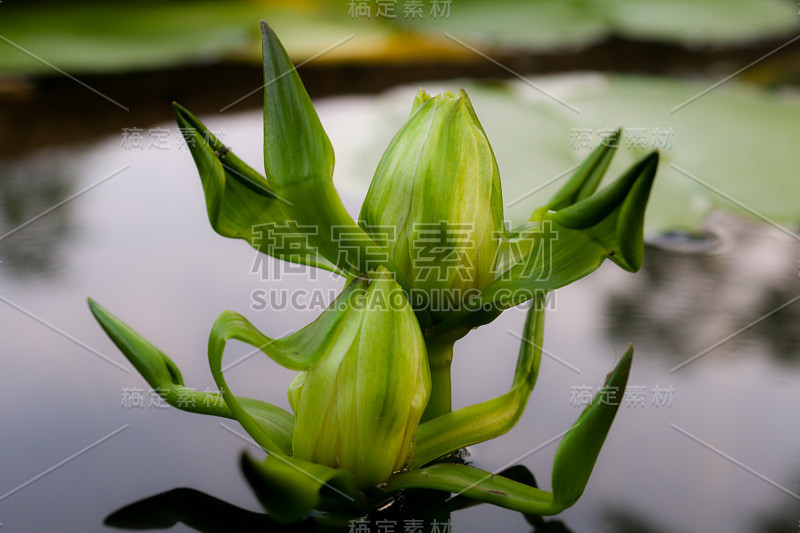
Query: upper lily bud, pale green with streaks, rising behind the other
{"points": [[435, 201]]}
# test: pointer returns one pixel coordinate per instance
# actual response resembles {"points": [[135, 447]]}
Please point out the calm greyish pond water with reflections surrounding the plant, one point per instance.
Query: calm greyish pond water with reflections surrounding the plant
{"points": [[708, 442]]}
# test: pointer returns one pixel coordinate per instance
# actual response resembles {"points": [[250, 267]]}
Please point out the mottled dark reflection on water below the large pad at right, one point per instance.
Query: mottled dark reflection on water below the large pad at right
{"points": [[681, 303]]}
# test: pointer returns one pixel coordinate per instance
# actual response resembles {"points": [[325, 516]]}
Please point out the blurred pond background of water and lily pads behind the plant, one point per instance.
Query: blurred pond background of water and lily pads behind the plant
{"points": [[99, 197]]}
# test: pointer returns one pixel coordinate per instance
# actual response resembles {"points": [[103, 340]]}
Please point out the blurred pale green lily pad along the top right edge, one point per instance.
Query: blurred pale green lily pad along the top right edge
{"points": [[554, 23]]}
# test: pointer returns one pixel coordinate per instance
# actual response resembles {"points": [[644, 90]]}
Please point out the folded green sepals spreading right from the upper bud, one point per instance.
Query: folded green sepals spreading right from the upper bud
{"points": [[559, 247]]}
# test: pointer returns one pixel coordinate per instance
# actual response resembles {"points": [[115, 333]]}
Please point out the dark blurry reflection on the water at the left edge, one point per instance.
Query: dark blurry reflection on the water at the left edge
{"points": [[28, 188]]}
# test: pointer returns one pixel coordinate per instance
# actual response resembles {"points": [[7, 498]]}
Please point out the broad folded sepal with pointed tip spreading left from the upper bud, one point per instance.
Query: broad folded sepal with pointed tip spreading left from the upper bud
{"points": [[302, 222]]}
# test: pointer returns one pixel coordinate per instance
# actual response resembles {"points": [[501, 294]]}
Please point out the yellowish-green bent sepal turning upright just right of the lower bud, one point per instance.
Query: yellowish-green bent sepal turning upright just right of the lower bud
{"points": [[477, 423]]}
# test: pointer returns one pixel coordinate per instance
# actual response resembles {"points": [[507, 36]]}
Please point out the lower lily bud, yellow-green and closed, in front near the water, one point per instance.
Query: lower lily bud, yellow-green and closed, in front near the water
{"points": [[359, 406]]}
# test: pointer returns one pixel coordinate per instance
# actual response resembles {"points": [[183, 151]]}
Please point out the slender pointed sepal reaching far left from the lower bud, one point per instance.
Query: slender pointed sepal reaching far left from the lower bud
{"points": [[165, 379]]}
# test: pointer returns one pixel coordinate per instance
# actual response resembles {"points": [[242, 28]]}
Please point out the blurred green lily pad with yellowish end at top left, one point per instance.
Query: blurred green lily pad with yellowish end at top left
{"points": [[111, 37]]}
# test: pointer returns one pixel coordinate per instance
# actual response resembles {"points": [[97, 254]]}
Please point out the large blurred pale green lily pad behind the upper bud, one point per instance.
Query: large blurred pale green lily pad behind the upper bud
{"points": [[729, 148]]}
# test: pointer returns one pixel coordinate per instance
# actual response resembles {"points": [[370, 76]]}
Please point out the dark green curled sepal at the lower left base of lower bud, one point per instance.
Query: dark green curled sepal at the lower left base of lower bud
{"points": [[290, 488]]}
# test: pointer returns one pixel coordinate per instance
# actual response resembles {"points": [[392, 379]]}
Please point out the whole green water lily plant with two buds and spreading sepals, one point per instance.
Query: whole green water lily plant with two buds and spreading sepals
{"points": [[372, 412]]}
